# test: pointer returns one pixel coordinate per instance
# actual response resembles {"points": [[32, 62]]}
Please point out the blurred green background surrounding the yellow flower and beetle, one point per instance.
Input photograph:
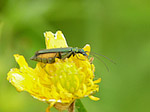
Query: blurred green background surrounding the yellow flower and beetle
{"points": [[117, 29]]}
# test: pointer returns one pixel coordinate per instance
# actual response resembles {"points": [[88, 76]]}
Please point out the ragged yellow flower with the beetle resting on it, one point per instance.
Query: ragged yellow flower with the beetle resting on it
{"points": [[59, 83]]}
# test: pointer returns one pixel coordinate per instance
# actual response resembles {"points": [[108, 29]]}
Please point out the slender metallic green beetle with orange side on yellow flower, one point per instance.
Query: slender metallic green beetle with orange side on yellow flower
{"points": [[49, 55]]}
